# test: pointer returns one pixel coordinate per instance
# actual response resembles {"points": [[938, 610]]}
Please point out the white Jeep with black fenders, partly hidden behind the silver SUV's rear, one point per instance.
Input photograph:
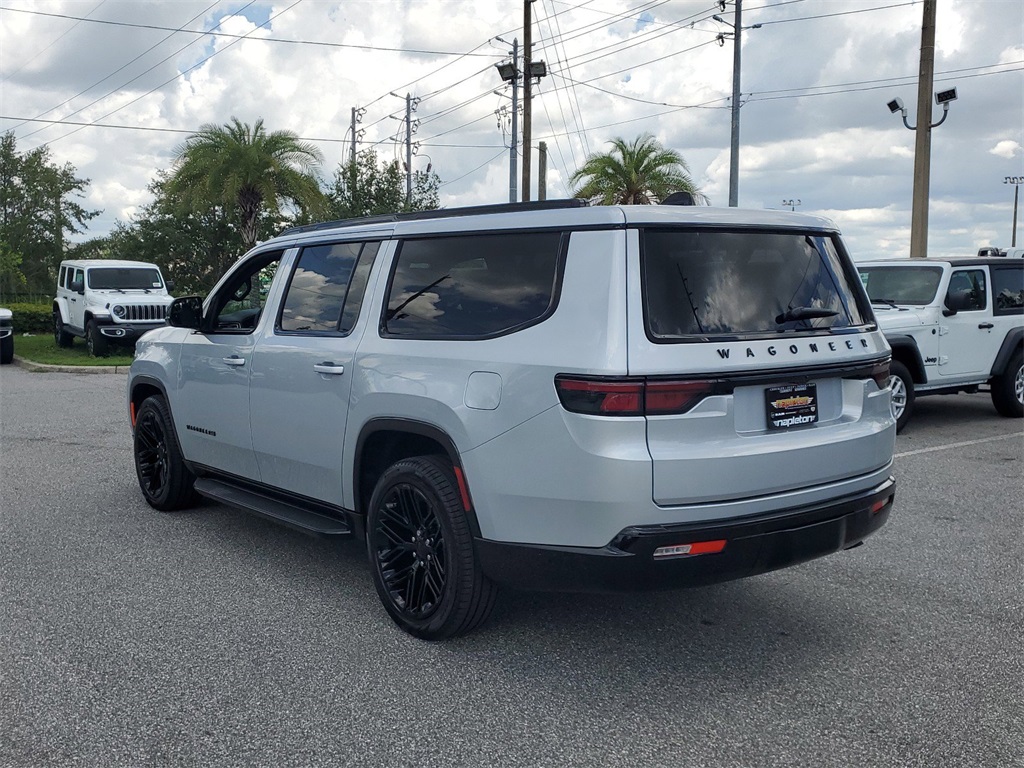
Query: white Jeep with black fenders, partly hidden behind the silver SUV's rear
{"points": [[954, 325]]}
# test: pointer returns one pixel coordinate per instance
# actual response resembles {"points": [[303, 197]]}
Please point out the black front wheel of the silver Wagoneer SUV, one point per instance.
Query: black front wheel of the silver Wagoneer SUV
{"points": [[163, 478]]}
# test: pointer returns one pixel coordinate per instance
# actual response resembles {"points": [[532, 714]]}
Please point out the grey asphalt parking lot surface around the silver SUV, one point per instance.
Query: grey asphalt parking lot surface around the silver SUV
{"points": [[211, 638]]}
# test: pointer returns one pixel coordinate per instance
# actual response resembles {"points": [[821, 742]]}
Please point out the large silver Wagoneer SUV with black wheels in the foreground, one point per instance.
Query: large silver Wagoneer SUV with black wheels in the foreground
{"points": [[542, 396]]}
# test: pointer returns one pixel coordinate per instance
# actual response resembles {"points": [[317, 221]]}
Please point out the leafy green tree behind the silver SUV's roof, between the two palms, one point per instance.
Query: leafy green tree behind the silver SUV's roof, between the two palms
{"points": [[369, 188]]}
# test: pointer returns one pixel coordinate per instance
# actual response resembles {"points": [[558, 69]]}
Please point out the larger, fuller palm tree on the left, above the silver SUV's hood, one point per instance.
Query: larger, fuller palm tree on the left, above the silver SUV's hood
{"points": [[243, 167]]}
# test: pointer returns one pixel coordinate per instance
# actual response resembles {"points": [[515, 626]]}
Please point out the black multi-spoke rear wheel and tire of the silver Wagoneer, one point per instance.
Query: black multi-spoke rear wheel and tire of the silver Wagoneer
{"points": [[421, 552]]}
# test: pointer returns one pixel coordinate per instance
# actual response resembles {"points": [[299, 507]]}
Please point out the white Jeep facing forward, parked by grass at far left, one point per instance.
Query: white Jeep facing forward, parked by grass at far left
{"points": [[108, 302]]}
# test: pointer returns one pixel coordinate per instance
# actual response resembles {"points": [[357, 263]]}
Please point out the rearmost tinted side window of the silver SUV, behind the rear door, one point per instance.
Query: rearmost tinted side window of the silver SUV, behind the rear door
{"points": [[473, 286]]}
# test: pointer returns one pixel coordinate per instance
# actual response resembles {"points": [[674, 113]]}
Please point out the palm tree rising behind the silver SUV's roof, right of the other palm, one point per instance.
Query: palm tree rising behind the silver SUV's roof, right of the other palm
{"points": [[642, 173]]}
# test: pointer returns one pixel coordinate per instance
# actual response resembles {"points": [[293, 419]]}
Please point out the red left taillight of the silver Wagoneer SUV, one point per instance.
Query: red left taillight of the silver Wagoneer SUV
{"points": [[630, 397]]}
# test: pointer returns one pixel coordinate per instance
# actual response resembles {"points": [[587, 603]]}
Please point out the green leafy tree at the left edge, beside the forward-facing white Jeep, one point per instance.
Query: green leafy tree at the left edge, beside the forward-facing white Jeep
{"points": [[38, 211]]}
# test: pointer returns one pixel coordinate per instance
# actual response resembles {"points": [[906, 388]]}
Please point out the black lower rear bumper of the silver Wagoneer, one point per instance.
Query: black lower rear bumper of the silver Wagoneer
{"points": [[754, 545]]}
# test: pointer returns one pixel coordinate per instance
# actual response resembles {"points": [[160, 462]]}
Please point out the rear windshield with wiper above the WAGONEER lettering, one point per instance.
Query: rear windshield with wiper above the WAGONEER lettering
{"points": [[705, 283]]}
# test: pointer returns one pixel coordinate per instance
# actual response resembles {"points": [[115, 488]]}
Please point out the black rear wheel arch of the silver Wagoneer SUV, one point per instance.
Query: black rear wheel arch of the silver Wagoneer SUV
{"points": [[385, 442]]}
